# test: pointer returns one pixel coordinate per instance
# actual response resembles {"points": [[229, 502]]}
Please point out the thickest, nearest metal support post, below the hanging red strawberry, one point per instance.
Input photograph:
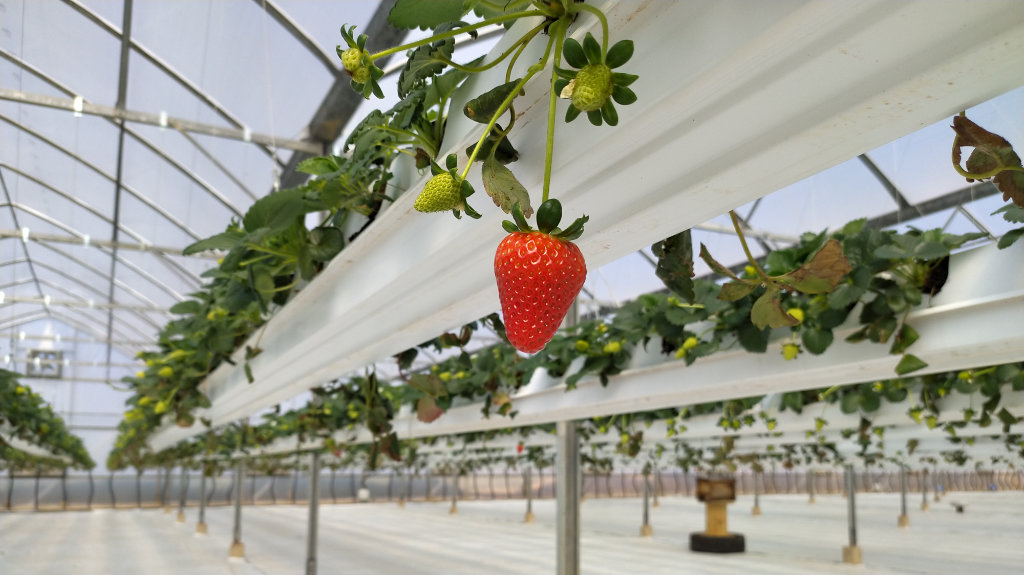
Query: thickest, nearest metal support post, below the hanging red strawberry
{"points": [[568, 503]]}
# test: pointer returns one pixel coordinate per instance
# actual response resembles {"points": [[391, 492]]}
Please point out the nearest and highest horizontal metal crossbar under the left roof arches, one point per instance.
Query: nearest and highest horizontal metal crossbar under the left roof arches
{"points": [[81, 107]]}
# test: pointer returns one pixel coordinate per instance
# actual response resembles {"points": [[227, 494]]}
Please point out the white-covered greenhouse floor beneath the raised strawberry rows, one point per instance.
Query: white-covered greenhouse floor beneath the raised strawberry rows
{"points": [[791, 538]]}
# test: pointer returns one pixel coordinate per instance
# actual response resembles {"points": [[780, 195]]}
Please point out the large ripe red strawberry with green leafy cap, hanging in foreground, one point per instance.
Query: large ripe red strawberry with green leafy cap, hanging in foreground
{"points": [[539, 275]]}
